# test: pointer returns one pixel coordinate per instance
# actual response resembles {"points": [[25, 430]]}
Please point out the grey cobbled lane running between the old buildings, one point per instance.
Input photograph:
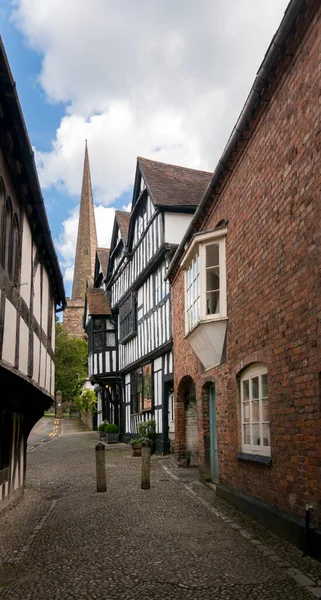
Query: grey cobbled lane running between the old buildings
{"points": [[175, 541]]}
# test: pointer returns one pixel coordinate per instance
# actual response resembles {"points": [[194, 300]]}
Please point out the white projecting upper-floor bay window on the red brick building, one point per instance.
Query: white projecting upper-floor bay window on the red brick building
{"points": [[205, 279]]}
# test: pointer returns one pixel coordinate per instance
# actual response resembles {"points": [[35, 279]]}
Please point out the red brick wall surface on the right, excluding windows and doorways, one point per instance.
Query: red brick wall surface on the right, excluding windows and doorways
{"points": [[272, 204]]}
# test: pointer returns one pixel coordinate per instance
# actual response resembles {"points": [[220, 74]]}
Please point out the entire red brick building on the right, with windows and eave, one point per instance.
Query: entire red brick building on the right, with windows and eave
{"points": [[246, 292]]}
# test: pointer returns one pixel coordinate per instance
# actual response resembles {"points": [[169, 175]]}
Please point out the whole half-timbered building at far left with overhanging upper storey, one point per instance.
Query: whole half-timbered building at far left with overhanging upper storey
{"points": [[30, 290]]}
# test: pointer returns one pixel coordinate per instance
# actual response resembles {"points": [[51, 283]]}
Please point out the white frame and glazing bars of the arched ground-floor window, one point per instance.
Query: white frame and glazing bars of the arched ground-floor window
{"points": [[256, 370]]}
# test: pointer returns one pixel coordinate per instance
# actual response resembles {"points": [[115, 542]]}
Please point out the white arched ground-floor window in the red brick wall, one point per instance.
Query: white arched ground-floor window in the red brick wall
{"points": [[256, 438]]}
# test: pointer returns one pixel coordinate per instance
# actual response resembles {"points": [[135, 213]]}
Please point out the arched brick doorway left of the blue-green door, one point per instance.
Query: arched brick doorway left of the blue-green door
{"points": [[186, 440]]}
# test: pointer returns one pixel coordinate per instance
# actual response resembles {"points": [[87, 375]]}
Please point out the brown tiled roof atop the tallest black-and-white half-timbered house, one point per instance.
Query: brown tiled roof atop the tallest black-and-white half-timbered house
{"points": [[174, 186]]}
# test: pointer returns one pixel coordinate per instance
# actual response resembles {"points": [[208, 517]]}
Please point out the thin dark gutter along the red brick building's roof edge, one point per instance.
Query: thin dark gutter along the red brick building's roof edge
{"points": [[273, 52]]}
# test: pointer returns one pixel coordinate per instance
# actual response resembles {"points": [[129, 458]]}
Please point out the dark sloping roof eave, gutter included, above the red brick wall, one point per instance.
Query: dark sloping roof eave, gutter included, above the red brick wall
{"points": [[296, 19]]}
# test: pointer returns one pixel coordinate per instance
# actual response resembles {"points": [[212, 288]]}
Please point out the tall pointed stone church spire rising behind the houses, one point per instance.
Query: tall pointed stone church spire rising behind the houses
{"points": [[86, 237]]}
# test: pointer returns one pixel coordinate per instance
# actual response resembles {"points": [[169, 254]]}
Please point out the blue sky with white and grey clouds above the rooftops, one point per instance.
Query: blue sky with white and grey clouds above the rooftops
{"points": [[163, 79]]}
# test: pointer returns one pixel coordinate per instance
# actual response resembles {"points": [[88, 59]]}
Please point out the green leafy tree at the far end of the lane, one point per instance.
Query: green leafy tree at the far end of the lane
{"points": [[71, 363]]}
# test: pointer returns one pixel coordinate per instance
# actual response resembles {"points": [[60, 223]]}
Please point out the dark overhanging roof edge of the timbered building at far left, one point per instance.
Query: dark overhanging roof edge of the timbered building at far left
{"points": [[25, 174]]}
